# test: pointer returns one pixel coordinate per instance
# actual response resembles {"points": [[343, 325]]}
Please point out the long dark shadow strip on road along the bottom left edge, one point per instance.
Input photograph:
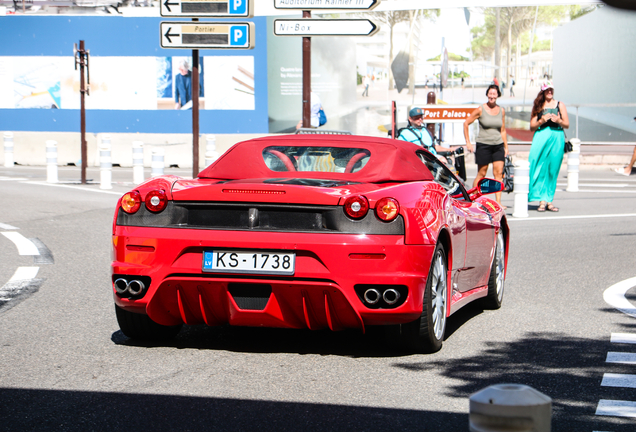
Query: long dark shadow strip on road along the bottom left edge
{"points": [[41, 410]]}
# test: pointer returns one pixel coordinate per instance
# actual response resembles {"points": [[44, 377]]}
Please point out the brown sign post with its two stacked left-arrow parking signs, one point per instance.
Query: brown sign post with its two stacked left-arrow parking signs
{"points": [[208, 35]]}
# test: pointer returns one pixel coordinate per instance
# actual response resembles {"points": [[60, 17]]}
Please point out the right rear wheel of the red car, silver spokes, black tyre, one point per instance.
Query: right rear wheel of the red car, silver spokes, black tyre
{"points": [[426, 334]]}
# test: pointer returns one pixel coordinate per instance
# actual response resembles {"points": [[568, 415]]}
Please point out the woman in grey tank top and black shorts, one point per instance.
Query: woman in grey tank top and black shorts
{"points": [[492, 141]]}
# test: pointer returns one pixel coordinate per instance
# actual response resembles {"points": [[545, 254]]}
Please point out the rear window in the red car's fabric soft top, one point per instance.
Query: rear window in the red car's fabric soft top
{"points": [[315, 159]]}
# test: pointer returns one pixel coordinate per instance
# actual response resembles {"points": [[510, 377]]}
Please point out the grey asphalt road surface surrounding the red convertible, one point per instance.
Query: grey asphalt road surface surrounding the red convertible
{"points": [[64, 364]]}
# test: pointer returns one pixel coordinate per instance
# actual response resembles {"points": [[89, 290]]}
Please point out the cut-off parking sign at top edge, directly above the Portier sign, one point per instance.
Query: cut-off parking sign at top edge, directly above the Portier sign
{"points": [[207, 8]]}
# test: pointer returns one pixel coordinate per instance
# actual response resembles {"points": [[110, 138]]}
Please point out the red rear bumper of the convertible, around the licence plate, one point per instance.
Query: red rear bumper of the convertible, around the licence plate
{"points": [[321, 293]]}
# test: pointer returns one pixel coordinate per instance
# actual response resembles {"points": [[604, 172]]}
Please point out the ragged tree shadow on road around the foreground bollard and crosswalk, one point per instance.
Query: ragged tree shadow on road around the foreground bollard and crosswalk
{"points": [[568, 369]]}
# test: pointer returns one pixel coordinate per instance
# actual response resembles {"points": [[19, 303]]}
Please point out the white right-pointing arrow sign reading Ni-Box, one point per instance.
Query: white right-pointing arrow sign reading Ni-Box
{"points": [[325, 27]]}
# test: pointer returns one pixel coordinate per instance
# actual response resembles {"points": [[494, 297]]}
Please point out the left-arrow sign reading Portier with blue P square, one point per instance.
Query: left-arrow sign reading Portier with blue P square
{"points": [[202, 35]]}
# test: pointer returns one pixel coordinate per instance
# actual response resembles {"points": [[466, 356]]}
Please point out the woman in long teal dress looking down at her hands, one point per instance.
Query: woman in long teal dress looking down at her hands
{"points": [[549, 118]]}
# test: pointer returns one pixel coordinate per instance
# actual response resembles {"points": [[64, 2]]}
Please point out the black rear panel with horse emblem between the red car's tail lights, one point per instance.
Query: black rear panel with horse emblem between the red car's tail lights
{"points": [[260, 217]]}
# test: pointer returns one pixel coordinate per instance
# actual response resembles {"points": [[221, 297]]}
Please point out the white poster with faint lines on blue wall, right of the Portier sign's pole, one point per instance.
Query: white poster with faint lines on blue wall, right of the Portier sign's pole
{"points": [[230, 83]]}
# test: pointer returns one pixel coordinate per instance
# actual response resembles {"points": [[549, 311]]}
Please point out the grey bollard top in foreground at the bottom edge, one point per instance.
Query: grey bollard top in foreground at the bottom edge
{"points": [[510, 407]]}
